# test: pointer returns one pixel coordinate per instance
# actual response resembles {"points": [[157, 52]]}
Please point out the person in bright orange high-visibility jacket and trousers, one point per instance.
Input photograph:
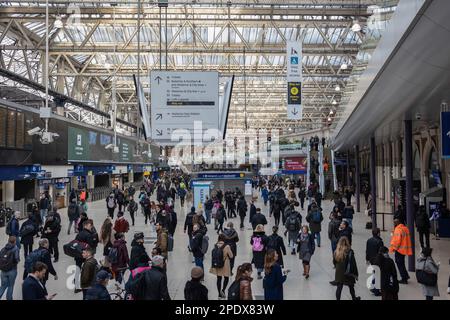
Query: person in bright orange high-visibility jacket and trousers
{"points": [[402, 246]]}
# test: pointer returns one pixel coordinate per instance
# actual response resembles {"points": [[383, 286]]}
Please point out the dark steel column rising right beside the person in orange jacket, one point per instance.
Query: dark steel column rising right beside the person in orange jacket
{"points": [[409, 195]]}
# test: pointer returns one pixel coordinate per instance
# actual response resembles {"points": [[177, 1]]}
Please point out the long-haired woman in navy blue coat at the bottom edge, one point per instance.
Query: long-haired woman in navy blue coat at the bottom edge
{"points": [[273, 277]]}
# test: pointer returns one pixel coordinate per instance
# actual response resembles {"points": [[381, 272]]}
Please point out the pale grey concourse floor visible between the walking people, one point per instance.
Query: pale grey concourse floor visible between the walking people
{"points": [[180, 261]]}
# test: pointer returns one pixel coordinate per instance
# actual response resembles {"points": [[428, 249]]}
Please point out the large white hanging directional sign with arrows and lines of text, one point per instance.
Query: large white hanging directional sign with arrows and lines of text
{"points": [[180, 98]]}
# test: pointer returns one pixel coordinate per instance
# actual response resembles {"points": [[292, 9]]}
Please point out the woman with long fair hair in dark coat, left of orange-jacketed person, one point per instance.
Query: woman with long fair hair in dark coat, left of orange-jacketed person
{"points": [[346, 268]]}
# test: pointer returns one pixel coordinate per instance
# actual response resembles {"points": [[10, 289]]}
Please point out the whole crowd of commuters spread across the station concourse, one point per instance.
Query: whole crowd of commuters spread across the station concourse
{"points": [[296, 228]]}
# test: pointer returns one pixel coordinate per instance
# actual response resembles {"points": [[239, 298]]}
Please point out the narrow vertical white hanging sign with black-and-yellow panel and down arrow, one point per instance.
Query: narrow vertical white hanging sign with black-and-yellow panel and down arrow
{"points": [[294, 80]]}
